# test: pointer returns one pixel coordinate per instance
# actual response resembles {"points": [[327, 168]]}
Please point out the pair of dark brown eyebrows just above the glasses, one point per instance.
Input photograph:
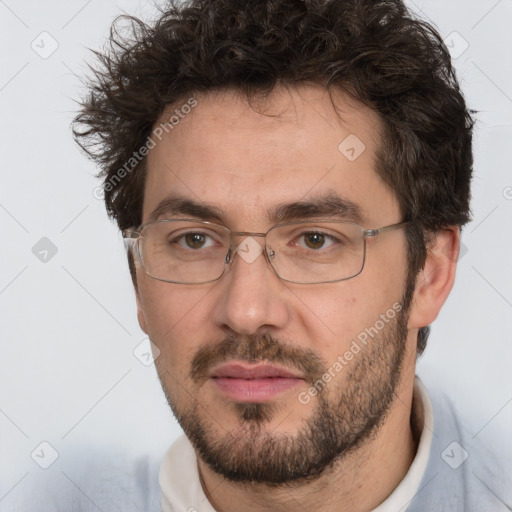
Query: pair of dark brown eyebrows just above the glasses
{"points": [[329, 205]]}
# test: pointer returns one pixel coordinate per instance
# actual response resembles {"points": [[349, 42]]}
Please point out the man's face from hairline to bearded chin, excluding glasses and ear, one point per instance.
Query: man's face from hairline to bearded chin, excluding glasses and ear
{"points": [[238, 356]]}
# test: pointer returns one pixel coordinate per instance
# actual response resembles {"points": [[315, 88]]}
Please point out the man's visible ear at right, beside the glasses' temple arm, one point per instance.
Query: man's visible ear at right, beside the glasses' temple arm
{"points": [[435, 281]]}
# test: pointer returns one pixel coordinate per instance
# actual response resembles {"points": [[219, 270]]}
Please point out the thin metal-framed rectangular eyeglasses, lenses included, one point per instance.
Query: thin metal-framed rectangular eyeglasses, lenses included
{"points": [[187, 251]]}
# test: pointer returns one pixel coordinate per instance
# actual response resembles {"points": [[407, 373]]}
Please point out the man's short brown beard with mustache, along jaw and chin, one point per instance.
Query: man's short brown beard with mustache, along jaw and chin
{"points": [[342, 420]]}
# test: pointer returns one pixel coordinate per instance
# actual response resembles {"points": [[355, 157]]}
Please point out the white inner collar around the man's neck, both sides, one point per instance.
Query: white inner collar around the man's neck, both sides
{"points": [[181, 488]]}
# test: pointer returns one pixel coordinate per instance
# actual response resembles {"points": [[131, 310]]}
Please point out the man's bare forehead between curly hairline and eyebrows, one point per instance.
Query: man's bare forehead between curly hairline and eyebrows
{"points": [[245, 159]]}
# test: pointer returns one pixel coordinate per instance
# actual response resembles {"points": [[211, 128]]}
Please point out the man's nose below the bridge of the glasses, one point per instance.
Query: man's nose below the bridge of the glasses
{"points": [[251, 298]]}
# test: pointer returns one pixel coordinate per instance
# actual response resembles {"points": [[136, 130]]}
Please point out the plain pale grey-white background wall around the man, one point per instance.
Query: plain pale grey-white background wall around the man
{"points": [[68, 374]]}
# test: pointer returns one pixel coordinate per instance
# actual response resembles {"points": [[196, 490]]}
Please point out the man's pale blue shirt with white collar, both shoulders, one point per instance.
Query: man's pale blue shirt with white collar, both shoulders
{"points": [[452, 472]]}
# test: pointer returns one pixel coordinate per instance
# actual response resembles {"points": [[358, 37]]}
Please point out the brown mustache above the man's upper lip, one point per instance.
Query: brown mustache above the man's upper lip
{"points": [[255, 349]]}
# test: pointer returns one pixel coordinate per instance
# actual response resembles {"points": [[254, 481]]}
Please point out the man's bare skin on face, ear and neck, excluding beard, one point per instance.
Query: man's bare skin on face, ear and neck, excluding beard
{"points": [[227, 154]]}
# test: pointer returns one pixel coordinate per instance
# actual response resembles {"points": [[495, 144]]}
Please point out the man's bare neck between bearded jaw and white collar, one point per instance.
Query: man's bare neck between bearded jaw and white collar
{"points": [[358, 482]]}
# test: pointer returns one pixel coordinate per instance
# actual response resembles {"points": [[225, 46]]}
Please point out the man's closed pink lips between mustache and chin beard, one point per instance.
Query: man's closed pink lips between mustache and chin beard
{"points": [[248, 383]]}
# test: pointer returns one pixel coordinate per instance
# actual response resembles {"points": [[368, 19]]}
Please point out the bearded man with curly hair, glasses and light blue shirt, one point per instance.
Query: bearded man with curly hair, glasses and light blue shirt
{"points": [[290, 178]]}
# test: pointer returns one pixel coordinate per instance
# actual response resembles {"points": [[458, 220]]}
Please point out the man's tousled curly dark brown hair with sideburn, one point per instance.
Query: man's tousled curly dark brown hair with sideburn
{"points": [[374, 49]]}
